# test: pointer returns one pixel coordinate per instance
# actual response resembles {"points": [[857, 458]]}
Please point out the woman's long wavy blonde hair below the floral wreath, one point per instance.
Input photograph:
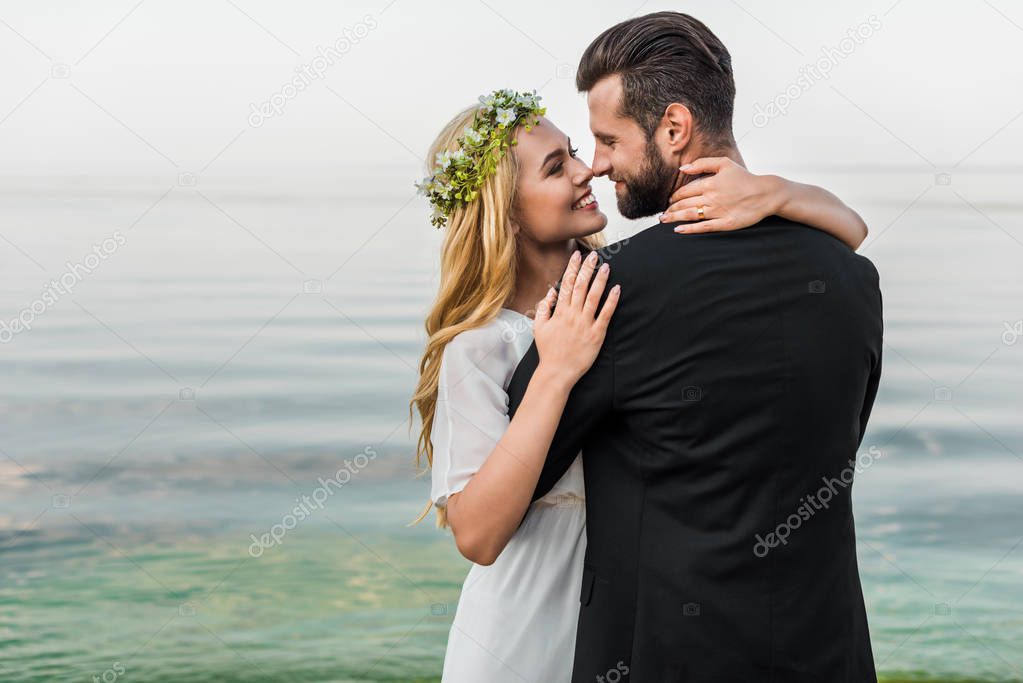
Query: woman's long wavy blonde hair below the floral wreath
{"points": [[478, 276]]}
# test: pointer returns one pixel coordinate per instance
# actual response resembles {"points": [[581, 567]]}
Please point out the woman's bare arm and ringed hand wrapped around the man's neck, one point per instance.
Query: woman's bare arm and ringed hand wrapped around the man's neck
{"points": [[733, 199]]}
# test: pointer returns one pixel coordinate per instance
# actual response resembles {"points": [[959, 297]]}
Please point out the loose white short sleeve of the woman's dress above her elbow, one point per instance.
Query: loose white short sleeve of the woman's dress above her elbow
{"points": [[471, 418]]}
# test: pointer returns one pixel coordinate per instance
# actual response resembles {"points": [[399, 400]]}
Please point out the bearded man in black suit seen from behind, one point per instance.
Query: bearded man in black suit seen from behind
{"points": [[721, 424]]}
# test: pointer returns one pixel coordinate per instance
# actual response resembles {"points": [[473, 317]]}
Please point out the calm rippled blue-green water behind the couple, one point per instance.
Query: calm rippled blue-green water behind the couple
{"points": [[193, 390]]}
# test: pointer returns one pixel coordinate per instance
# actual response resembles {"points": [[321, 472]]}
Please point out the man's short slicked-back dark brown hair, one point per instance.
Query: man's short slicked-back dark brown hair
{"points": [[662, 59]]}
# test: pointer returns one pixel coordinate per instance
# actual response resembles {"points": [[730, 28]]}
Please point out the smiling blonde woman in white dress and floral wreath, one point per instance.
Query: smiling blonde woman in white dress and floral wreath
{"points": [[517, 207]]}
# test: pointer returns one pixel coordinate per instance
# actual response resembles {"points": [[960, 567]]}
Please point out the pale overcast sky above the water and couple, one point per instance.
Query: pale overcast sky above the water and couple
{"points": [[154, 88]]}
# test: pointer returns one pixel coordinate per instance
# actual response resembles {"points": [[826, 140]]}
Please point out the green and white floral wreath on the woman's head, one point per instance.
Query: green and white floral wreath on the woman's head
{"points": [[459, 175]]}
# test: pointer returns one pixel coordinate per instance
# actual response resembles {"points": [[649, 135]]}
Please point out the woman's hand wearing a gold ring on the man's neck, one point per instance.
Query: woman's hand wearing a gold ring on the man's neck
{"points": [[732, 198]]}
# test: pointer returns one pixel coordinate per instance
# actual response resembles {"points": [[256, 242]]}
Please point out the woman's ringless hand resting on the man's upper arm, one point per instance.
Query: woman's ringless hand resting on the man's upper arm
{"points": [[569, 339]]}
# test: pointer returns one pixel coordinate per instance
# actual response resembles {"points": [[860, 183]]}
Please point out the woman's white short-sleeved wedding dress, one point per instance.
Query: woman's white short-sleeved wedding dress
{"points": [[516, 620]]}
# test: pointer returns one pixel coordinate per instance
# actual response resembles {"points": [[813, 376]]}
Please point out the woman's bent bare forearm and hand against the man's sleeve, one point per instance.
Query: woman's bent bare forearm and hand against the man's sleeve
{"points": [[486, 514]]}
